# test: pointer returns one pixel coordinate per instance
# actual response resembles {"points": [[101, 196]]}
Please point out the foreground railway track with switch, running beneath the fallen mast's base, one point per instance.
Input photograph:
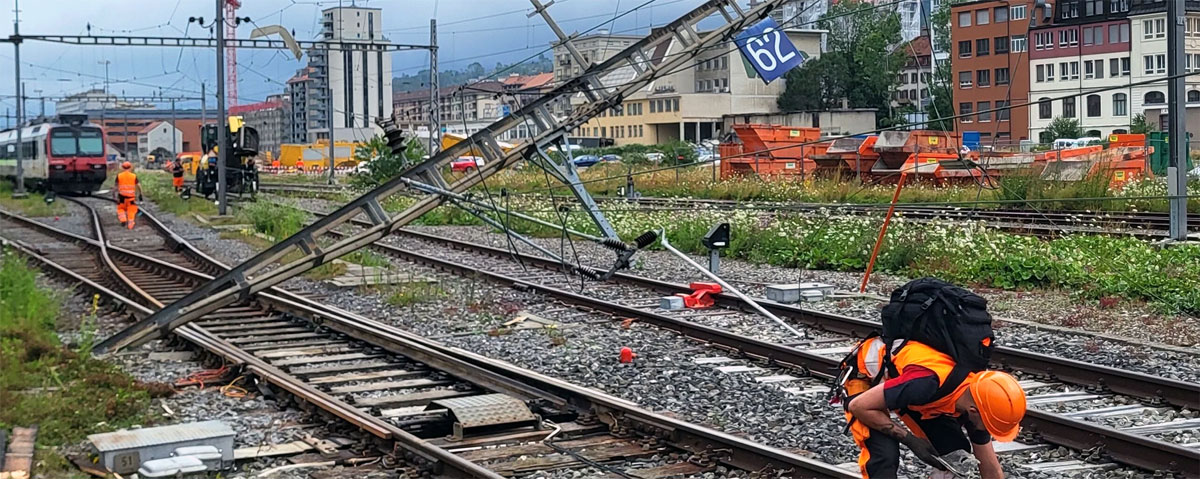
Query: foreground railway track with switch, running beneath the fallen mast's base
{"points": [[442, 411]]}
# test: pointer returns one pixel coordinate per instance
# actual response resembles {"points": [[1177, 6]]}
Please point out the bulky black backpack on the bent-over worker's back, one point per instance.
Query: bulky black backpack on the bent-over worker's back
{"points": [[945, 318]]}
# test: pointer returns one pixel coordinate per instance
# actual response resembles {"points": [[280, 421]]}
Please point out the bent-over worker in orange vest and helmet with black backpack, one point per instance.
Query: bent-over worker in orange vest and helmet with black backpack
{"points": [[952, 405]]}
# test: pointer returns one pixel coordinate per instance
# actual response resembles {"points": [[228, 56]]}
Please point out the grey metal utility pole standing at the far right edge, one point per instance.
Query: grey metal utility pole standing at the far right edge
{"points": [[1178, 131]]}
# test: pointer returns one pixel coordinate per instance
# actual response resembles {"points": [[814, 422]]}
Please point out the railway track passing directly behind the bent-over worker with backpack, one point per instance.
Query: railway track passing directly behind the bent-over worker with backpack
{"points": [[1051, 381]]}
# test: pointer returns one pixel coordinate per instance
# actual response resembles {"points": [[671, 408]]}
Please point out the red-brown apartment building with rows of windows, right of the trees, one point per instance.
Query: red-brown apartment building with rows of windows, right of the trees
{"points": [[991, 55]]}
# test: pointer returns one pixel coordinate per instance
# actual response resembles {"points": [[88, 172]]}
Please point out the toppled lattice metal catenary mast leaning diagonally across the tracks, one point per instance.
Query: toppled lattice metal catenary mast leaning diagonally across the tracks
{"points": [[637, 67]]}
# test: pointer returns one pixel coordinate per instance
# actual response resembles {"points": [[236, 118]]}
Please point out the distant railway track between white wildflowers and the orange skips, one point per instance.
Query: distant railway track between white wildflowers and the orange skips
{"points": [[1040, 224]]}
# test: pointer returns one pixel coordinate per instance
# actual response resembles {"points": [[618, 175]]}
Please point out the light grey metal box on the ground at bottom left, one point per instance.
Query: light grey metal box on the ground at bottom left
{"points": [[124, 452]]}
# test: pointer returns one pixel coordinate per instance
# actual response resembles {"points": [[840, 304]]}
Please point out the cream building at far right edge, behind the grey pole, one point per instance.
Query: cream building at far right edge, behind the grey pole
{"points": [[1148, 52]]}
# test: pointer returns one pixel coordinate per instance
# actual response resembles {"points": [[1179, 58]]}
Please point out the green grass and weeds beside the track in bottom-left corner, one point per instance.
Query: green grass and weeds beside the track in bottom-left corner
{"points": [[64, 391]]}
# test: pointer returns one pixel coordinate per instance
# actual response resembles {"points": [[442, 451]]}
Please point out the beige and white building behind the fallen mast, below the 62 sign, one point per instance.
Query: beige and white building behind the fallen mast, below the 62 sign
{"points": [[692, 104]]}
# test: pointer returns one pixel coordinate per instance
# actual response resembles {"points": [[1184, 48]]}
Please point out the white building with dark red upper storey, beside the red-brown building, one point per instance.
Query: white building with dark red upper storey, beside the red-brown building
{"points": [[1088, 47]]}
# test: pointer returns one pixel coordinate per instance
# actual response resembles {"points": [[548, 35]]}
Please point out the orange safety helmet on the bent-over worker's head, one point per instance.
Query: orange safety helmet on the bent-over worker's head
{"points": [[1001, 404]]}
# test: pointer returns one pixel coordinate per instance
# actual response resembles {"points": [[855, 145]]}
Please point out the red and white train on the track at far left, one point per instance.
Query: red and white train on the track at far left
{"points": [[63, 155]]}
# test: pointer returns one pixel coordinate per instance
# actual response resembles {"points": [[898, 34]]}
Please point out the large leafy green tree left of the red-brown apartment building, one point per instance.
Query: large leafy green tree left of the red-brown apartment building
{"points": [[860, 64]]}
